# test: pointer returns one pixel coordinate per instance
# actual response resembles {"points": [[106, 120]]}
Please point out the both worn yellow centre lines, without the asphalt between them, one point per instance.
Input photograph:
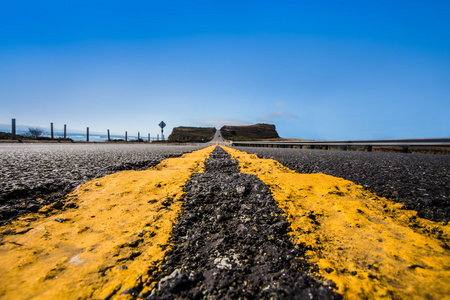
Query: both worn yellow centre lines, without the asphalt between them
{"points": [[114, 232]]}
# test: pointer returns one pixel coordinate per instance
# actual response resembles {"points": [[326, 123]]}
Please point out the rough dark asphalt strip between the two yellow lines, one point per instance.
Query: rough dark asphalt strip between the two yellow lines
{"points": [[231, 242]]}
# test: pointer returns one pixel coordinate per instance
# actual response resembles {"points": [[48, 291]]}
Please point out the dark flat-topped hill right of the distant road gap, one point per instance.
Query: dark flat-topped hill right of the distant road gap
{"points": [[251, 132]]}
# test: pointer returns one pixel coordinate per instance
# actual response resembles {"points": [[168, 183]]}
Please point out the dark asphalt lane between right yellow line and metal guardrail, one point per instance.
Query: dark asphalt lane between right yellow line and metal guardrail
{"points": [[420, 181]]}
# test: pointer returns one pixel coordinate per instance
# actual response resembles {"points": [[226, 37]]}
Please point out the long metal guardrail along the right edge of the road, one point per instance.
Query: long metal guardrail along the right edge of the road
{"points": [[345, 144]]}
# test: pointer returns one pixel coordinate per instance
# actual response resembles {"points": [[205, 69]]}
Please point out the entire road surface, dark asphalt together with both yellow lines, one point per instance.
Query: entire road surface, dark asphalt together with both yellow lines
{"points": [[219, 223]]}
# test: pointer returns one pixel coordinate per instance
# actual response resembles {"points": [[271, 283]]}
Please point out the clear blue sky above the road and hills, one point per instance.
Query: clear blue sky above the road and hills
{"points": [[316, 69]]}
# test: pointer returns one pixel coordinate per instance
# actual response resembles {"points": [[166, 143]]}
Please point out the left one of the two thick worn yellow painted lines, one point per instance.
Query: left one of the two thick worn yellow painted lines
{"points": [[106, 245]]}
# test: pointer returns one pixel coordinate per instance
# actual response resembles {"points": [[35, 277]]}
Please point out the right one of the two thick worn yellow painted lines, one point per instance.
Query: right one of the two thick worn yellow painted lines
{"points": [[395, 254]]}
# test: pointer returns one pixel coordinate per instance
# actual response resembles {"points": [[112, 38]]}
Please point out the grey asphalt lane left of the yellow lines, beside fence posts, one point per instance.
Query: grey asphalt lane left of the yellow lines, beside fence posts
{"points": [[35, 175]]}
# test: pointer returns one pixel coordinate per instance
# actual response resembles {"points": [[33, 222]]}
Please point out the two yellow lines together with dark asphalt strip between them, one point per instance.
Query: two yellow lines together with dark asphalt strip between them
{"points": [[219, 224]]}
